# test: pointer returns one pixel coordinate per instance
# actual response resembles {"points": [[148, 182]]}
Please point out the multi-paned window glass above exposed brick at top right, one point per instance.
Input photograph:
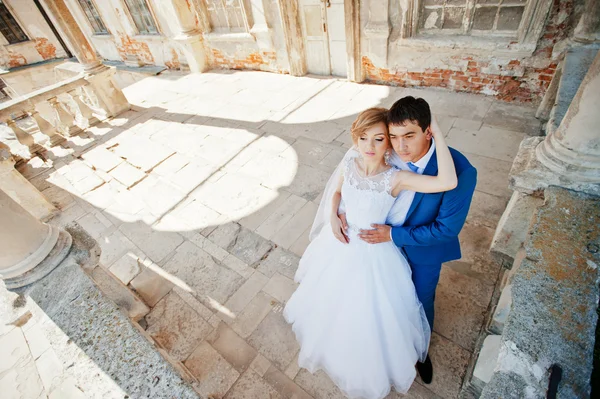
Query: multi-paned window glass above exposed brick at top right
{"points": [[474, 17]]}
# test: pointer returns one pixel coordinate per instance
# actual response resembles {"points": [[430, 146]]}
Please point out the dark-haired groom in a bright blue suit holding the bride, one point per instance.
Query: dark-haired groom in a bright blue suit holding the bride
{"points": [[429, 235]]}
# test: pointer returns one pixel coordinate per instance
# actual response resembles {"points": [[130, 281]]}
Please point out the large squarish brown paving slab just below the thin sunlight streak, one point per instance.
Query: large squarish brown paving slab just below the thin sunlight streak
{"points": [[176, 327]]}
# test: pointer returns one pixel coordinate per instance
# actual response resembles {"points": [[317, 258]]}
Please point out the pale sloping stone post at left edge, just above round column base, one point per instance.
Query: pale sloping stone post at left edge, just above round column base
{"points": [[21, 190]]}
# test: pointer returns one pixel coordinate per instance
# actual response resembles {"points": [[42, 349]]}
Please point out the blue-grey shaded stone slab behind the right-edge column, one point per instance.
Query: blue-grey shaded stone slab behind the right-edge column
{"points": [[576, 64]]}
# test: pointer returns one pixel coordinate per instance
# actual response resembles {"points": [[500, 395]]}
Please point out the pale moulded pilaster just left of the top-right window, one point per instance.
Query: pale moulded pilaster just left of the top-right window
{"points": [[377, 31]]}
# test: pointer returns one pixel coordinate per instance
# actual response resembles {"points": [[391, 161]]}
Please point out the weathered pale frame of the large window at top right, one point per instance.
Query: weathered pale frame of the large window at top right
{"points": [[528, 33]]}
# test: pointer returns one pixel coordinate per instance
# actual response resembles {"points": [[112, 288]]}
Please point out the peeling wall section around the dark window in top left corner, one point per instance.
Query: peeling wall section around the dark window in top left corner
{"points": [[42, 44]]}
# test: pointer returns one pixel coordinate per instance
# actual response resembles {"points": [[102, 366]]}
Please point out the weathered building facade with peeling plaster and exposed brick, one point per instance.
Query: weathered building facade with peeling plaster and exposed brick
{"points": [[506, 48]]}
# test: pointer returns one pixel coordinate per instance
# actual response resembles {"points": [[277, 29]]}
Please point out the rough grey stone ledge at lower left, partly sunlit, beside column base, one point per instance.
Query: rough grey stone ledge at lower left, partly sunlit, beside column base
{"points": [[96, 343]]}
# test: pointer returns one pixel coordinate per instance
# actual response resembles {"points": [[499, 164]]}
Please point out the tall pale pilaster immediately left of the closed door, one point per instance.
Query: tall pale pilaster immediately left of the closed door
{"points": [[294, 40]]}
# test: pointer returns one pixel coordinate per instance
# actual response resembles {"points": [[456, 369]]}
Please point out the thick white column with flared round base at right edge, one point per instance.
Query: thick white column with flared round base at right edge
{"points": [[573, 150]]}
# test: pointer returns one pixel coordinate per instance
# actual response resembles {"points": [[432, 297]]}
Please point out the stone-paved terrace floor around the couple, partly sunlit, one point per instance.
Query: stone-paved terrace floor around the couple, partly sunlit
{"points": [[202, 196]]}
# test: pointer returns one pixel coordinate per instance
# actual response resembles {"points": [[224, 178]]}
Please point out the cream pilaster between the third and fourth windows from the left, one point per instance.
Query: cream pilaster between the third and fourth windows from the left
{"points": [[189, 37]]}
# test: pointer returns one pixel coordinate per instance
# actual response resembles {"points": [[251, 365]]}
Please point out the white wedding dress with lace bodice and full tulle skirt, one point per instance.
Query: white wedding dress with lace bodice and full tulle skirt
{"points": [[356, 314]]}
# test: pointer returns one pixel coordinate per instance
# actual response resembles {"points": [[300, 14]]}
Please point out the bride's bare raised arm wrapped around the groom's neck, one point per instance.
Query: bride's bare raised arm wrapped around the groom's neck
{"points": [[444, 181]]}
